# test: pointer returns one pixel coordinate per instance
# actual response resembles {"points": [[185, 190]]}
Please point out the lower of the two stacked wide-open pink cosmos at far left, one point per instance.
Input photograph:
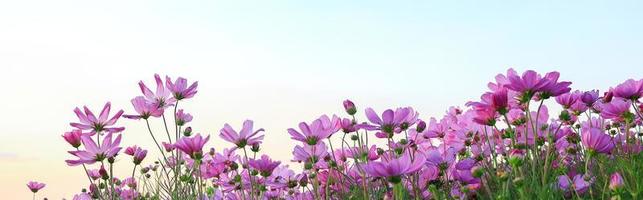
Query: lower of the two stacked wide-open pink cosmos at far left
{"points": [[93, 153]]}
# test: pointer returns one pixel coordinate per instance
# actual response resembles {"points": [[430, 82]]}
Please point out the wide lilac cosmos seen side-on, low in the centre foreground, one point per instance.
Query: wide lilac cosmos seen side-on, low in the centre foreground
{"points": [[393, 168]]}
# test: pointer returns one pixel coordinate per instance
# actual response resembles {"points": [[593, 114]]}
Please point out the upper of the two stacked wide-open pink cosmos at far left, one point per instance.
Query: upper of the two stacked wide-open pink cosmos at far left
{"points": [[88, 120]]}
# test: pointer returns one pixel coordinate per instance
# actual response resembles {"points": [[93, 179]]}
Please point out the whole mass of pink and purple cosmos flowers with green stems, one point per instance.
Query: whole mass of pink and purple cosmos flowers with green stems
{"points": [[504, 146]]}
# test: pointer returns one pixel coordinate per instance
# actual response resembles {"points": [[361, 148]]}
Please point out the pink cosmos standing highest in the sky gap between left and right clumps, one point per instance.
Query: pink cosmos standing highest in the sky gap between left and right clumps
{"points": [[244, 137]]}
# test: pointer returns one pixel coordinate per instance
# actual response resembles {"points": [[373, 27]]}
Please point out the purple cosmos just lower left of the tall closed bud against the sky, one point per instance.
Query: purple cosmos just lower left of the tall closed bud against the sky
{"points": [[318, 130]]}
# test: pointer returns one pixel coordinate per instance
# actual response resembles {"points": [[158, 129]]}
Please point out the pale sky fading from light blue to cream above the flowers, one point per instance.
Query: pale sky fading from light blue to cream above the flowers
{"points": [[280, 63]]}
